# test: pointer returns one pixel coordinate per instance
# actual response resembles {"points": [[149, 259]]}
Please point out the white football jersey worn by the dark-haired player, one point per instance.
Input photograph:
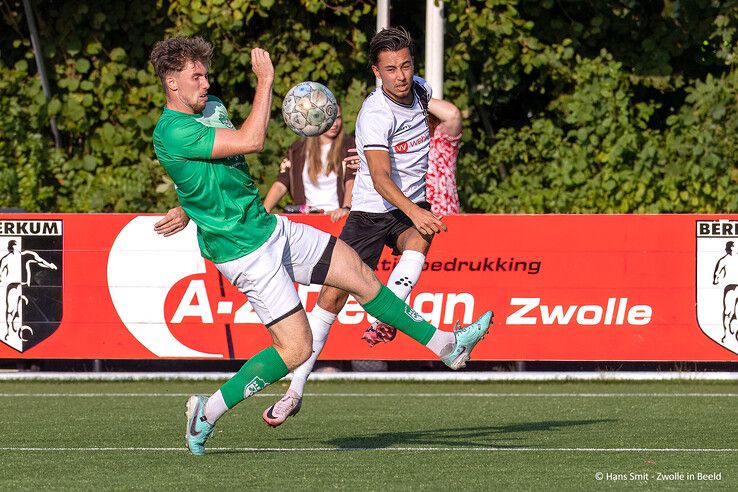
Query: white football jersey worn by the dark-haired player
{"points": [[402, 131]]}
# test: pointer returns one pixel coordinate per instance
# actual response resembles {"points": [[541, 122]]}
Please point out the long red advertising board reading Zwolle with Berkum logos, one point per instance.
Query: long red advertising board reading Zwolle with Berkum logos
{"points": [[562, 287]]}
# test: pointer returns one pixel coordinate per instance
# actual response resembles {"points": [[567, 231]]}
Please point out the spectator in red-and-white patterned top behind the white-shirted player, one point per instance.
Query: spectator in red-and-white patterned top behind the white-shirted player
{"points": [[445, 127]]}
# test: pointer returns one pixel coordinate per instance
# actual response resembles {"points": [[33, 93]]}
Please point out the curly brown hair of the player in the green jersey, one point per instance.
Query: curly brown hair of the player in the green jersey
{"points": [[172, 55]]}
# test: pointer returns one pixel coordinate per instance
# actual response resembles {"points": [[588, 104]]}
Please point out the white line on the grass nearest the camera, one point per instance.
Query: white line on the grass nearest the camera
{"points": [[399, 449]]}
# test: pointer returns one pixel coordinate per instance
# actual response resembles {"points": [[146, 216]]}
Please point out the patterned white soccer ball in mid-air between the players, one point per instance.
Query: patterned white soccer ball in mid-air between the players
{"points": [[309, 109]]}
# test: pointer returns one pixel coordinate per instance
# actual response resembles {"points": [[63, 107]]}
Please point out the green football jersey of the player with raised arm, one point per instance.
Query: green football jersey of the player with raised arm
{"points": [[219, 195]]}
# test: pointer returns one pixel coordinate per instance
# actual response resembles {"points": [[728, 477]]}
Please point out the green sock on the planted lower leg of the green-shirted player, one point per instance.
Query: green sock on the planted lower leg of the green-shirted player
{"points": [[259, 372]]}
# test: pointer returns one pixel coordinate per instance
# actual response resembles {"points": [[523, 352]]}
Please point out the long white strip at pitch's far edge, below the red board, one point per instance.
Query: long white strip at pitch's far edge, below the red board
{"points": [[385, 376]]}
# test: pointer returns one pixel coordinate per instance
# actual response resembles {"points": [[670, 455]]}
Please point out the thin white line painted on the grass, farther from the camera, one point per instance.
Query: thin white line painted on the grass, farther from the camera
{"points": [[391, 395]]}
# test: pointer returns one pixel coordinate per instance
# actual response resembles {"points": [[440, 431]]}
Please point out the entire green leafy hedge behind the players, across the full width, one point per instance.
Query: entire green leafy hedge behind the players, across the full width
{"points": [[570, 106]]}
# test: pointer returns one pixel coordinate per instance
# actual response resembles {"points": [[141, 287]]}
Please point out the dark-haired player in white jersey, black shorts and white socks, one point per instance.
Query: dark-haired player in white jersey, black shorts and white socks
{"points": [[388, 207]]}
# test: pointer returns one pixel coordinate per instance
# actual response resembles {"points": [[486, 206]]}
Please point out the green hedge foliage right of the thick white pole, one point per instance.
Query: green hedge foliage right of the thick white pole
{"points": [[595, 106]]}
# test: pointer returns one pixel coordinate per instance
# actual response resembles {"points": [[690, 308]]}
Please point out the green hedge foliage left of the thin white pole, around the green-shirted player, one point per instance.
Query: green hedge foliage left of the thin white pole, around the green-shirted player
{"points": [[106, 98]]}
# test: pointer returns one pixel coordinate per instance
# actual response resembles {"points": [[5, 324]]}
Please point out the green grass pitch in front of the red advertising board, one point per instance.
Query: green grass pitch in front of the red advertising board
{"points": [[376, 436]]}
